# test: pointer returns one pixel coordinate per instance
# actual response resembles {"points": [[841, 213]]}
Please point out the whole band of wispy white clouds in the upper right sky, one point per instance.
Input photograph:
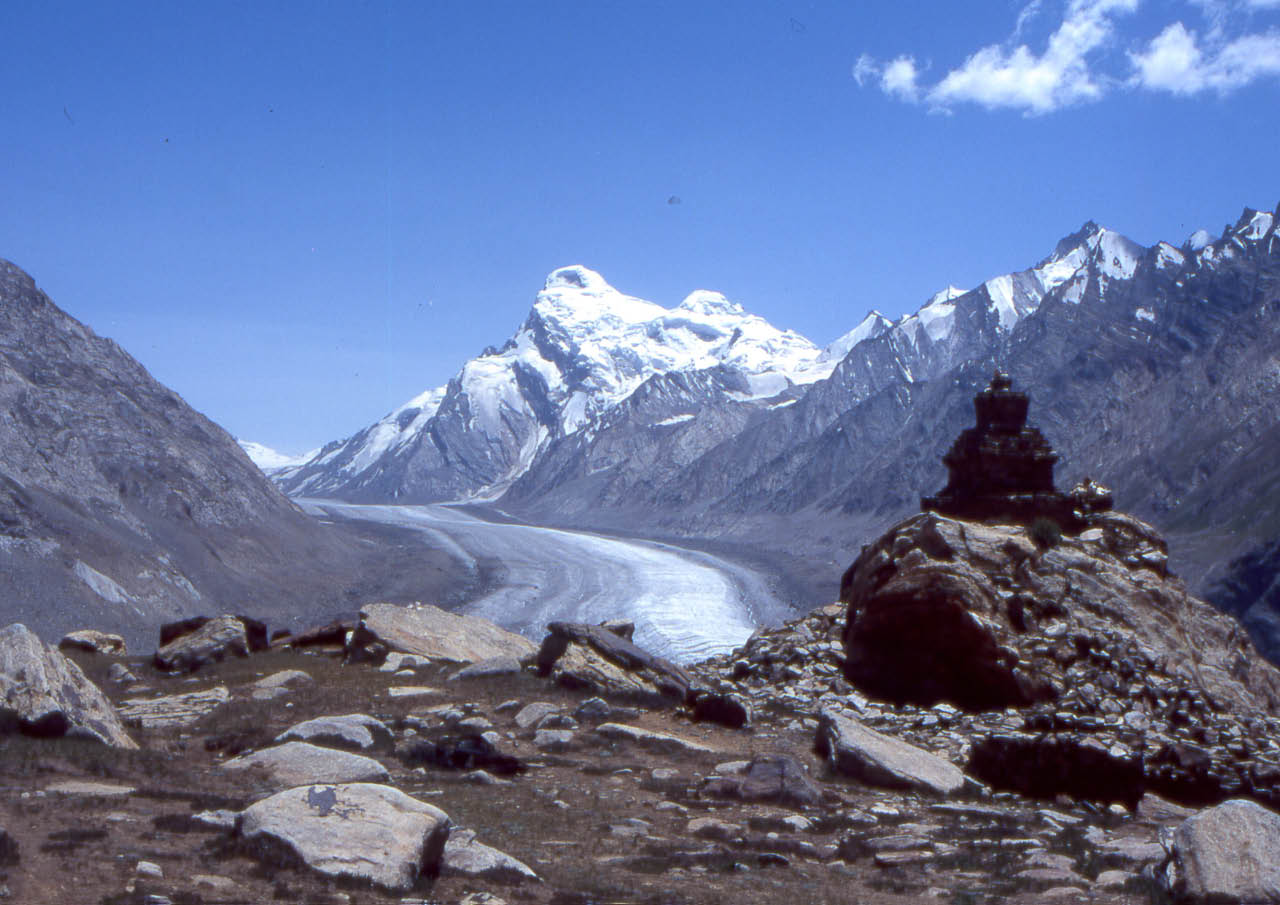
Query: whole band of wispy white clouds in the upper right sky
{"points": [[1080, 62]]}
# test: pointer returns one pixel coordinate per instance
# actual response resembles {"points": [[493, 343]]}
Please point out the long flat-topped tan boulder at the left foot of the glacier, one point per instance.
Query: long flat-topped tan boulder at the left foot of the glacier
{"points": [[435, 634]]}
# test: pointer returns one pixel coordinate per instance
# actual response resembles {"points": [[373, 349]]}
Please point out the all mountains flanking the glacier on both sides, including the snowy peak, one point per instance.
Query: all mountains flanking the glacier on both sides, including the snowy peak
{"points": [[1151, 369]]}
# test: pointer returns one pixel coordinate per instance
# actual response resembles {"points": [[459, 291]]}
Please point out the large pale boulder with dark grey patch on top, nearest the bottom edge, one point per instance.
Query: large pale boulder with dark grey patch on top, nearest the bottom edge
{"points": [[364, 831]]}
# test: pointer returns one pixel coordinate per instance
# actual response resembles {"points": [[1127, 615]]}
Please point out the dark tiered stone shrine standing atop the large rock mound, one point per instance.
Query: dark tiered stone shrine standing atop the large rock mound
{"points": [[1003, 470]]}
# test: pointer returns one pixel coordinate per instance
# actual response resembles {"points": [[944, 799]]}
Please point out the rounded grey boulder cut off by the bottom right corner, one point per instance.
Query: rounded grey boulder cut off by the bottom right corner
{"points": [[1226, 854]]}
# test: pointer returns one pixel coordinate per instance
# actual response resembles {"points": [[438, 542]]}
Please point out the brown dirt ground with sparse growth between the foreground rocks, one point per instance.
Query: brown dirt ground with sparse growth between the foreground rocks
{"points": [[561, 817]]}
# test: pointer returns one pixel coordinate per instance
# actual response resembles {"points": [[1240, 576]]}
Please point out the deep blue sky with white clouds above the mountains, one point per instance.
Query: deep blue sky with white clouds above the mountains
{"points": [[300, 216]]}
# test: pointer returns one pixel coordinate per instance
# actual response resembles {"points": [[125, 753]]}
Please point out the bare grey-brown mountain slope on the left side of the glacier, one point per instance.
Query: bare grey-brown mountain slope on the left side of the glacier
{"points": [[120, 505]]}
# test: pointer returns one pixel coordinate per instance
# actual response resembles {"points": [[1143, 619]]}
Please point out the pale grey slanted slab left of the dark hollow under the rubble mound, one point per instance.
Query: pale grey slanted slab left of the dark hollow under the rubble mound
{"points": [[877, 760]]}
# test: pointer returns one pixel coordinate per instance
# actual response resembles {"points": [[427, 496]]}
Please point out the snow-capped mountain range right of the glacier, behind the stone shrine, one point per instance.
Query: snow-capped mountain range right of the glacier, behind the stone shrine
{"points": [[1151, 369]]}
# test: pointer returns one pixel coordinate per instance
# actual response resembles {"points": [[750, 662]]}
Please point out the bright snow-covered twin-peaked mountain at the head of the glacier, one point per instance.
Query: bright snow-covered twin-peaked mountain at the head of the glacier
{"points": [[584, 348]]}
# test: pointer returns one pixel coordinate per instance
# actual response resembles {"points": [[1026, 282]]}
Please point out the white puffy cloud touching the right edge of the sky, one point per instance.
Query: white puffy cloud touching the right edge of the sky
{"points": [[1176, 62]]}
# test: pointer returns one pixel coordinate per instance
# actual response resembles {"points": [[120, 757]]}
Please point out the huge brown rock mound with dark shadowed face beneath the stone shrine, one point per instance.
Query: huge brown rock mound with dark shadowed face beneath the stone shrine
{"points": [[1087, 636]]}
